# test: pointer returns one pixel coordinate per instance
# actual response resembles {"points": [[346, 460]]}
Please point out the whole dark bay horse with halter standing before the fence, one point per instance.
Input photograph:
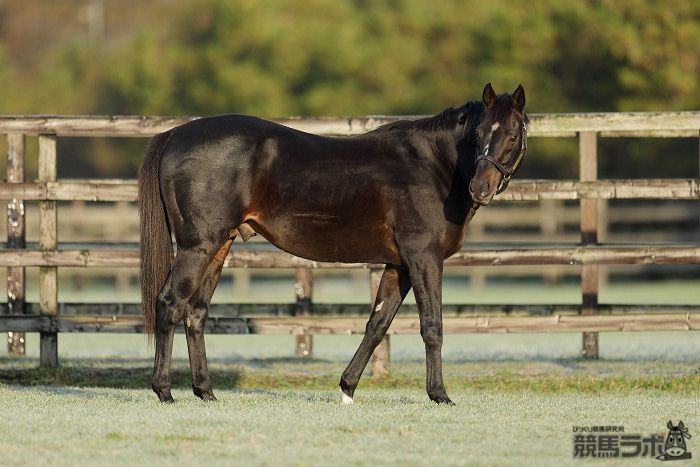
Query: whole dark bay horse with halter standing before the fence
{"points": [[401, 195]]}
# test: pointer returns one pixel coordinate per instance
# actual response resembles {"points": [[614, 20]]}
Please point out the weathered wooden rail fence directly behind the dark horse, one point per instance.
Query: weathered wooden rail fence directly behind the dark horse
{"points": [[304, 318]]}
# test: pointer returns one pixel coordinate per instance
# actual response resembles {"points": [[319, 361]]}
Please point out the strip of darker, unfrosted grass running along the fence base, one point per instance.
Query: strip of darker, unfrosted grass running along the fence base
{"points": [[315, 374]]}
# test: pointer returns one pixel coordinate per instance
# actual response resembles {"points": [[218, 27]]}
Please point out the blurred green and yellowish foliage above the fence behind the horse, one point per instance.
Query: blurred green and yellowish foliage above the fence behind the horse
{"points": [[322, 57]]}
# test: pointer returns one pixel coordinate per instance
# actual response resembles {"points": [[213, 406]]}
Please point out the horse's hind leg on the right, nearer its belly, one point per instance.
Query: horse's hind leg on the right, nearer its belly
{"points": [[195, 319]]}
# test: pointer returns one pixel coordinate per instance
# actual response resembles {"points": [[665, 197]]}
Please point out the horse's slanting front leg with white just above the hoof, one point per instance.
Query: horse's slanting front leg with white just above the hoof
{"points": [[393, 288]]}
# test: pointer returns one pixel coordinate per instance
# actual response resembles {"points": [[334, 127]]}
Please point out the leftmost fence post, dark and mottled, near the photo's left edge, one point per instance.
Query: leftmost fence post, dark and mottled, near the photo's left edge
{"points": [[15, 239]]}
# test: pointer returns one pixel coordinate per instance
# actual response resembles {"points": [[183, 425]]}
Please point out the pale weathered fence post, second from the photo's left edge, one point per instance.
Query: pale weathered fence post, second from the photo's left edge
{"points": [[48, 283]]}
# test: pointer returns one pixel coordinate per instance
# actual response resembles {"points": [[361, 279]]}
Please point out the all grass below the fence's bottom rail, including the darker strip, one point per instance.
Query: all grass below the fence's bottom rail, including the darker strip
{"points": [[518, 397]]}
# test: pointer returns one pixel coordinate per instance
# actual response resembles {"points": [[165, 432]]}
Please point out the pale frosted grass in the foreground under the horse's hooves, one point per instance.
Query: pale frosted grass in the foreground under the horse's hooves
{"points": [[99, 426]]}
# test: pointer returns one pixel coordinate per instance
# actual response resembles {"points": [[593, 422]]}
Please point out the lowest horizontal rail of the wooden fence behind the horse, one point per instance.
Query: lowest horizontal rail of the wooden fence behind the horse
{"points": [[315, 325]]}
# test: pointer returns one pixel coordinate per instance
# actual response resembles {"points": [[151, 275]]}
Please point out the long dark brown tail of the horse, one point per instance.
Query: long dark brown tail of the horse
{"points": [[156, 243]]}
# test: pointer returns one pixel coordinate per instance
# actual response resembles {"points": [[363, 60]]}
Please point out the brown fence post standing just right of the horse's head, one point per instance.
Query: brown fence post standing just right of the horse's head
{"points": [[588, 153]]}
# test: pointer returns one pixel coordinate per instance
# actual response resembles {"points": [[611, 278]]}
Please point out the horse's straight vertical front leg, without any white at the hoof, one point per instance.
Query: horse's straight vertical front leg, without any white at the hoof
{"points": [[426, 278]]}
